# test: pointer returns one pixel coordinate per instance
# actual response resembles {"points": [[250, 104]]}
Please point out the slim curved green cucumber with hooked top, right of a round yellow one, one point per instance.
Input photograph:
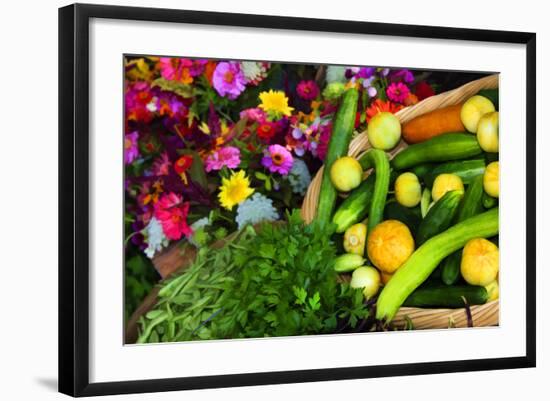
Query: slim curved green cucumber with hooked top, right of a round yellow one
{"points": [[379, 160]]}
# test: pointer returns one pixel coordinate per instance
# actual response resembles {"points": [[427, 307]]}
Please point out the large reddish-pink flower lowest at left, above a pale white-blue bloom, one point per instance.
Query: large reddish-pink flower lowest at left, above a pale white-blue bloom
{"points": [[171, 212]]}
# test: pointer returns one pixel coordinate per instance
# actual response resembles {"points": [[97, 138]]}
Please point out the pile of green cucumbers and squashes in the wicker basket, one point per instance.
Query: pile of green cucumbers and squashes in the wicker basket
{"points": [[430, 277]]}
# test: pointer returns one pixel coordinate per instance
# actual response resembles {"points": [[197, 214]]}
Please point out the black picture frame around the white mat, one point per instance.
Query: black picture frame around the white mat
{"points": [[74, 194]]}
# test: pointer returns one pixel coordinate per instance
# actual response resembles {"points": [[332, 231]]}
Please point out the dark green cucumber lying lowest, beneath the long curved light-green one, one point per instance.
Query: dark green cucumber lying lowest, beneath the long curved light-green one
{"points": [[447, 296]]}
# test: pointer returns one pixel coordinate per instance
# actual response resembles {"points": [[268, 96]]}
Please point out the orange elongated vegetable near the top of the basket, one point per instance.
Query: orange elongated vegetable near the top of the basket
{"points": [[434, 123]]}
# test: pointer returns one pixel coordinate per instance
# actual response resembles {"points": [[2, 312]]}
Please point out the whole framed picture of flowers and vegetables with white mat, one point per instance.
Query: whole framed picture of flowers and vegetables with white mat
{"points": [[251, 199]]}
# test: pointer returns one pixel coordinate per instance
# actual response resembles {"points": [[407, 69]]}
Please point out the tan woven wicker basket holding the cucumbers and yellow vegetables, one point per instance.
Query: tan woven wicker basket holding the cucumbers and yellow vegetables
{"points": [[482, 315]]}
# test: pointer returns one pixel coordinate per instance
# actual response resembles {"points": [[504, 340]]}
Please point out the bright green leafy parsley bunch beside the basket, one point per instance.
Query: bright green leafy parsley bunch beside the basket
{"points": [[287, 285]]}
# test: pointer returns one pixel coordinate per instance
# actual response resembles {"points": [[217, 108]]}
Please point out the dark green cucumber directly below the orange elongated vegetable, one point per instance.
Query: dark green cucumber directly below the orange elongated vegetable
{"points": [[442, 148]]}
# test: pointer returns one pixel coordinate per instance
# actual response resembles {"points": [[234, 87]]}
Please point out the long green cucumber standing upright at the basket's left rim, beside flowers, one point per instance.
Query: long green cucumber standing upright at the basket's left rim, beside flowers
{"points": [[340, 138]]}
